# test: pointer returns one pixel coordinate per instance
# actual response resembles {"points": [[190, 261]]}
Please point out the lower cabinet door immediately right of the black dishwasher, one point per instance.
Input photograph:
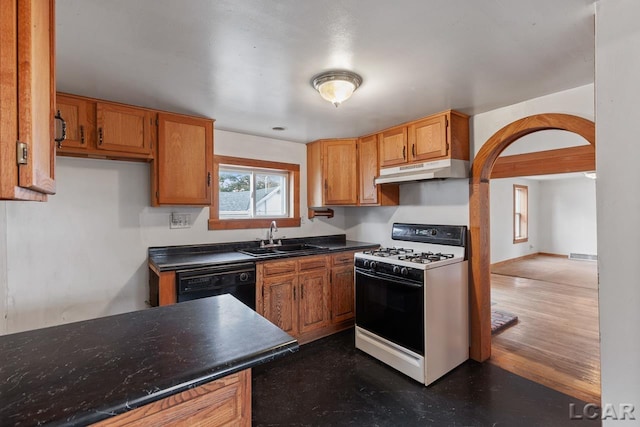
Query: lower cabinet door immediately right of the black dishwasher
{"points": [[280, 302]]}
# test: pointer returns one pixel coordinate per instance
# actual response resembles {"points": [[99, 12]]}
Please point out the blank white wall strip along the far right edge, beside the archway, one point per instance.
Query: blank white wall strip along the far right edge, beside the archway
{"points": [[618, 204]]}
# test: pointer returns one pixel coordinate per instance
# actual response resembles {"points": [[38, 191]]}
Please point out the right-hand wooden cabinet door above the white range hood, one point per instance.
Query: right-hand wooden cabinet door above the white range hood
{"points": [[428, 139]]}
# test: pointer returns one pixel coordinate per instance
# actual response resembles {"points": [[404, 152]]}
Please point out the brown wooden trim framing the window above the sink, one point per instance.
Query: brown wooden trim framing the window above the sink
{"points": [[215, 223]]}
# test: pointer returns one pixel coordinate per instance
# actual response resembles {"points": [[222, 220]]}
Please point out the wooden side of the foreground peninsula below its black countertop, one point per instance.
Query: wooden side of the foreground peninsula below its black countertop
{"points": [[224, 402]]}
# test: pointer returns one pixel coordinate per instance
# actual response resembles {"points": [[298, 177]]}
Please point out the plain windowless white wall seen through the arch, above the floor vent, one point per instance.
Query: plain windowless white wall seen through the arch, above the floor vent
{"points": [[568, 209]]}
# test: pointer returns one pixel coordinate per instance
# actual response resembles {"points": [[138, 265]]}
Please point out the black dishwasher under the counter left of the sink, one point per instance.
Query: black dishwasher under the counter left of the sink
{"points": [[238, 280]]}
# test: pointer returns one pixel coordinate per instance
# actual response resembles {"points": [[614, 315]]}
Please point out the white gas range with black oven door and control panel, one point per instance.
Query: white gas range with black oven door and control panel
{"points": [[412, 304]]}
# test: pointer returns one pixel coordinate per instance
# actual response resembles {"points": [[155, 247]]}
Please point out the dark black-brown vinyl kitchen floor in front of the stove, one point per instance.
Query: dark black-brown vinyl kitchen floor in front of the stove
{"points": [[330, 383]]}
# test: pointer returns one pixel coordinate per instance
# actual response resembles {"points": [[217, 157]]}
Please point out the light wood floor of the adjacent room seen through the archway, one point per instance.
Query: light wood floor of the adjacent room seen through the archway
{"points": [[556, 340]]}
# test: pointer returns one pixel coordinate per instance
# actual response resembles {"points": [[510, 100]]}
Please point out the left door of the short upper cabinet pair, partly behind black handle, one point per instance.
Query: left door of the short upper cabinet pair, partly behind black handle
{"points": [[80, 117]]}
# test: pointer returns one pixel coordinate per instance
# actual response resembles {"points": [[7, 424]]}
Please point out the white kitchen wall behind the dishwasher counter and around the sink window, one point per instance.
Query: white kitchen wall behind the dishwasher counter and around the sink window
{"points": [[83, 254]]}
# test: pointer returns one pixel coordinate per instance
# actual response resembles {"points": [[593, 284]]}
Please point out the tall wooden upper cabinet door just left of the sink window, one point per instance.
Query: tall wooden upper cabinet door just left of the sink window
{"points": [[184, 161]]}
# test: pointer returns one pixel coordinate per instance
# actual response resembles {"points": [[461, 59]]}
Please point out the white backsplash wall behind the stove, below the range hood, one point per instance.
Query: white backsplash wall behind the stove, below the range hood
{"points": [[428, 202]]}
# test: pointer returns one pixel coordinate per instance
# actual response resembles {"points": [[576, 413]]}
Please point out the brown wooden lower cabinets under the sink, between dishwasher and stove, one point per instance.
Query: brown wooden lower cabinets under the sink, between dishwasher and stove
{"points": [[309, 297]]}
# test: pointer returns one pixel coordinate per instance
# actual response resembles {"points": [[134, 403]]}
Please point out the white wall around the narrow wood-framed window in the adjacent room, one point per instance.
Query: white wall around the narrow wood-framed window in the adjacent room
{"points": [[502, 246]]}
